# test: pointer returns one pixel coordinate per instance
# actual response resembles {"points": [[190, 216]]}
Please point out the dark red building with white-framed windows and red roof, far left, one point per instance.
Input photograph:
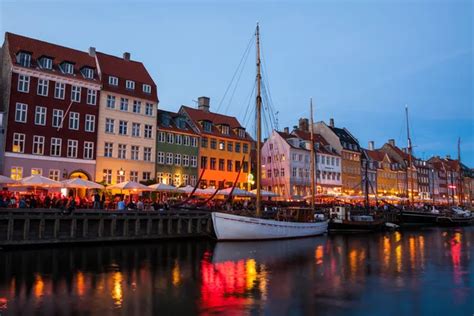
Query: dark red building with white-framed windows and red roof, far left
{"points": [[50, 98]]}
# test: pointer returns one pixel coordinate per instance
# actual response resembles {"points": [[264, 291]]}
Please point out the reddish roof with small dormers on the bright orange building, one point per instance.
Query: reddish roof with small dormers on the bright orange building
{"points": [[197, 116]]}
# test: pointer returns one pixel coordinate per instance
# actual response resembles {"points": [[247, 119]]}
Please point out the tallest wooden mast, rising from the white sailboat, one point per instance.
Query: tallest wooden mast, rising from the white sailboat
{"points": [[259, 131]]}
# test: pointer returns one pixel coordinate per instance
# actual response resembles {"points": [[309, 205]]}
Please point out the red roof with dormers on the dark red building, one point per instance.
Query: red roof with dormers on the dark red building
{"points": [[37, 49]]}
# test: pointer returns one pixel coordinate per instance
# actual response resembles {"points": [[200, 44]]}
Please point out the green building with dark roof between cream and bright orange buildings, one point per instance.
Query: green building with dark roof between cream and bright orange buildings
{"points": [[177, 153]]}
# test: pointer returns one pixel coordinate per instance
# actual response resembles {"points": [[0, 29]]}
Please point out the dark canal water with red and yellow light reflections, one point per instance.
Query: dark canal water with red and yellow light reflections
{"points": [[419, 272]]}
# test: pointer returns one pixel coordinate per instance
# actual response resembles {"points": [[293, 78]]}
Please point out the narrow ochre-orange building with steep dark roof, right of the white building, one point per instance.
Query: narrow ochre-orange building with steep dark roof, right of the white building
{"points": [[346, 145]]}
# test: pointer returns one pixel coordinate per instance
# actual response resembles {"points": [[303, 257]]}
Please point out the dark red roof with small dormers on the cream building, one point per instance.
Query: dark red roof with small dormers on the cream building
{"points": [[126, 70]]}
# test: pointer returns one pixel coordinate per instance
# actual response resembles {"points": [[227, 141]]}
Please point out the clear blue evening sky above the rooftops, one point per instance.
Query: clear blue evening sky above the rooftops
{"points": [[361, 61]]}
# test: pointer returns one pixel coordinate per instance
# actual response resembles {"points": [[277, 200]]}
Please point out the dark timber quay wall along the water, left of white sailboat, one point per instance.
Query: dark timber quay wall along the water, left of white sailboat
{"points": [[23, 227]]}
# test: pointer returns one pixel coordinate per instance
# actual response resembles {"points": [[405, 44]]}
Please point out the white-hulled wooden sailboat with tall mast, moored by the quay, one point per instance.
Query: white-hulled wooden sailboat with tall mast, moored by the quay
{"points": [[236, 227]]}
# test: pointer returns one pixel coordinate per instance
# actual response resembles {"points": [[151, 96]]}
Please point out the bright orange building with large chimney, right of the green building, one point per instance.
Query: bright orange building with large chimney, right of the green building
{"points": [[224, 149]]}
